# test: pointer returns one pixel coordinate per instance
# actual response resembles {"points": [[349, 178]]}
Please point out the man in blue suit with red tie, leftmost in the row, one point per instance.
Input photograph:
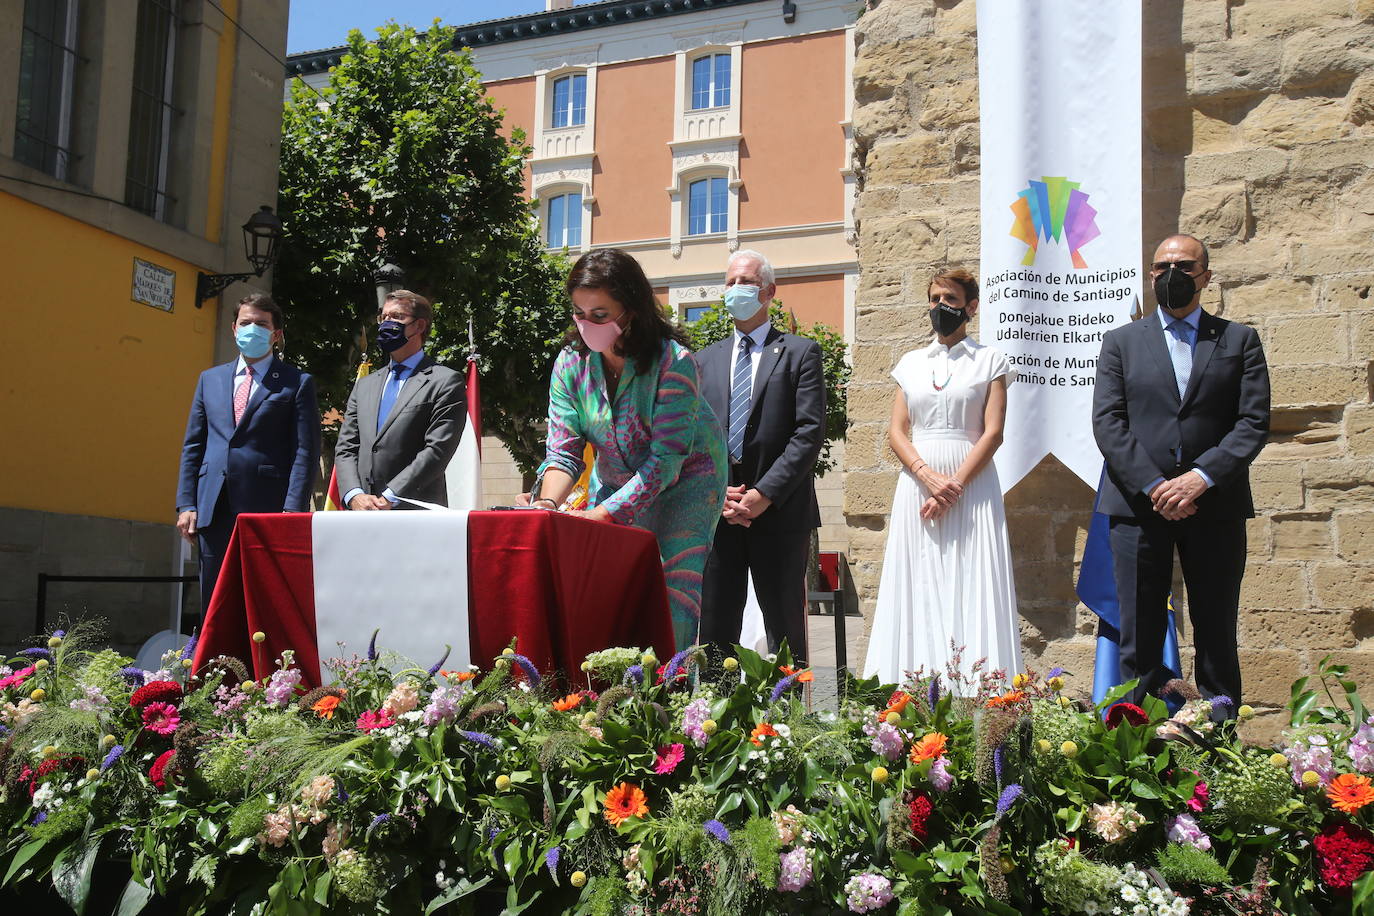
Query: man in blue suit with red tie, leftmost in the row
{"points": [[252, 442]]}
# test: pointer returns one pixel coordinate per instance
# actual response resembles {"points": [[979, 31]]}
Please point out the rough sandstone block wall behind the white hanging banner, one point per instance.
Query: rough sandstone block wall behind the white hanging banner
{"points": [[1259, 138]]}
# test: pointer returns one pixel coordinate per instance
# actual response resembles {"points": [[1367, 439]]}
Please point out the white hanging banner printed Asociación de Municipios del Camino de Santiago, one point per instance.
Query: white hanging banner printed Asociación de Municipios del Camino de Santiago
{"points": [[1060, 108]]}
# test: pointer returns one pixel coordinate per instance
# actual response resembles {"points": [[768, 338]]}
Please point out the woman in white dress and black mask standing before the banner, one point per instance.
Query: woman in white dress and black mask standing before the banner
{"points": [[947, 582]]}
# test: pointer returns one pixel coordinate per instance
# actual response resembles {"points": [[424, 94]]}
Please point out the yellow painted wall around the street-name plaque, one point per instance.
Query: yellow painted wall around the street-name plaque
{"points": [[94, 388]]}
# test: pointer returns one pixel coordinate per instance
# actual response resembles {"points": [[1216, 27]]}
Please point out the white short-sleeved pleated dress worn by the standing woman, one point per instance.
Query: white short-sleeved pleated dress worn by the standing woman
{"points": [[947, 580]]}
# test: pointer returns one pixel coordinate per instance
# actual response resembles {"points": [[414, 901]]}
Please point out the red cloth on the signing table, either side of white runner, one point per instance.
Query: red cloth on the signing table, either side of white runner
{"points": [[564, 587]]}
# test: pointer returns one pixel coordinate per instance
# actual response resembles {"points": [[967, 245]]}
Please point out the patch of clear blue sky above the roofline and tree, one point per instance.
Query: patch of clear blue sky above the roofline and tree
{"points": [[325, 24]]}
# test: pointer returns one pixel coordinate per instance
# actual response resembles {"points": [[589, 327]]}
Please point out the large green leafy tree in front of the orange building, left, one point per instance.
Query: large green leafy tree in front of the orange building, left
{"points": [[401, 157]]}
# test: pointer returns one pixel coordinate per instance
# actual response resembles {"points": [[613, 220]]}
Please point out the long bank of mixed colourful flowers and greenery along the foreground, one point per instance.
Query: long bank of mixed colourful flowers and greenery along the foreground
{"points": [[645, 786]]}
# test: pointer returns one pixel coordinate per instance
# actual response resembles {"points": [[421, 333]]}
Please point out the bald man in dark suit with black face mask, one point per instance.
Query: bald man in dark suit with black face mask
{"points": [[1181, 411]]}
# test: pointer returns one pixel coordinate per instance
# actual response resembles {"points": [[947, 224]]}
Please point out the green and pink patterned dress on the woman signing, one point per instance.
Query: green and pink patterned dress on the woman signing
{"points": [[660, 461]]}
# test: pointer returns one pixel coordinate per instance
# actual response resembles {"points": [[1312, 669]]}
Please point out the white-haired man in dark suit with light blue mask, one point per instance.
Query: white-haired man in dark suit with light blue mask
{"points": [[769, 393]]}
